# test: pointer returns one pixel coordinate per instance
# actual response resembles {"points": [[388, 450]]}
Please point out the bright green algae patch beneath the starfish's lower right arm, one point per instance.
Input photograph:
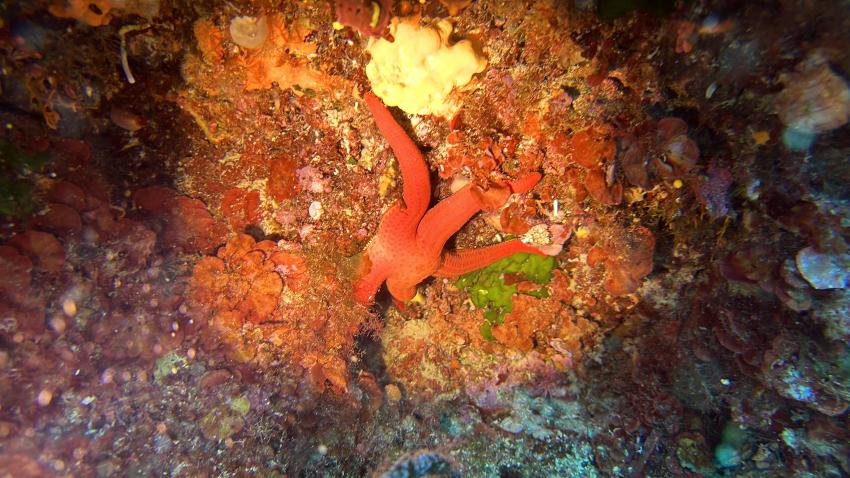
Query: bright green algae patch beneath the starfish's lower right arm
{"points": [[493, 287]]}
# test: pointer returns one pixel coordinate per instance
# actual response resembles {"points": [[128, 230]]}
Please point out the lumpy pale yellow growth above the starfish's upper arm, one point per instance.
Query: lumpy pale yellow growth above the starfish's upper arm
{"points": [[418, 71]]}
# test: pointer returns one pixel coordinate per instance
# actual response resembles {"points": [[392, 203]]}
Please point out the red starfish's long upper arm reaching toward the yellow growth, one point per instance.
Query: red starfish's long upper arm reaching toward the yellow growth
{"points": [[416, 190]]}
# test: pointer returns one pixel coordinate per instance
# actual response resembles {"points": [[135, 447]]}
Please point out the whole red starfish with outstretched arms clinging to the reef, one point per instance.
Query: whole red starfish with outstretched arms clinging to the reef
{"points": [[409, 245]]}
